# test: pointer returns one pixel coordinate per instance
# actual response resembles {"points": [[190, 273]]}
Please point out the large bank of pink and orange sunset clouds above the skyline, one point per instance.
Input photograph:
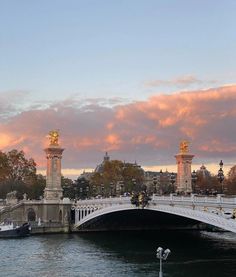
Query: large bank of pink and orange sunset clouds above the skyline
{"points": [[147, 131]]}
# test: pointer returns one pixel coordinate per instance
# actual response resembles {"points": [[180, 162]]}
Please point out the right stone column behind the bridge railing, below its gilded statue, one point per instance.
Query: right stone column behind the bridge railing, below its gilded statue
{"points": [[184, 173]]}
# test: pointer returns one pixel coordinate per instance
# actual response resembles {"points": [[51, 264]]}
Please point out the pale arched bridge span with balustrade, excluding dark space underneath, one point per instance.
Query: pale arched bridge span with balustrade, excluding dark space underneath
{"points": [[216, 211]]}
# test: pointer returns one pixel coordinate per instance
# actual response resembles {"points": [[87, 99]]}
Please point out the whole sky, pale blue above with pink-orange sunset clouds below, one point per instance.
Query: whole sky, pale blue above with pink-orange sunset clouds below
{"points": [[130, 77]]}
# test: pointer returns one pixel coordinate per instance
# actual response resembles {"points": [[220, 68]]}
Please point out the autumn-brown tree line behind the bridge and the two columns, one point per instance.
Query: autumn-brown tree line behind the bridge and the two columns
{"points": [[19, 173]]}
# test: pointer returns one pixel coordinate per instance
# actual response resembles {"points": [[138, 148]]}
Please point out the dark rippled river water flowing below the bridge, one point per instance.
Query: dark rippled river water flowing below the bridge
{"points": [[119, 254]]}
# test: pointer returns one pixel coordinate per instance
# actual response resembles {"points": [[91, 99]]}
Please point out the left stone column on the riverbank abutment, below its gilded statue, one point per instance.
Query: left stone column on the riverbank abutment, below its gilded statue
{"points": [[53, 190]]}
